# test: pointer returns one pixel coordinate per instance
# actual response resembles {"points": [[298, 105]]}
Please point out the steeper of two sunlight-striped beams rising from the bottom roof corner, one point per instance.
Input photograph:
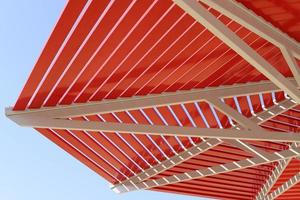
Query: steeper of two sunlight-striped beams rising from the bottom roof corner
{"points": [[206, 145]]}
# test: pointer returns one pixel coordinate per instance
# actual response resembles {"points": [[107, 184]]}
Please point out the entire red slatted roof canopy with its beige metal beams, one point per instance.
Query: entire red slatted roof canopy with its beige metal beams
{"points": [[191, 97]]}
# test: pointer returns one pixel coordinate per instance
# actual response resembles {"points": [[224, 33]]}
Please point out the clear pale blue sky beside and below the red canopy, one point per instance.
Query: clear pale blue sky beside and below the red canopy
{"points": [[31, 167]]}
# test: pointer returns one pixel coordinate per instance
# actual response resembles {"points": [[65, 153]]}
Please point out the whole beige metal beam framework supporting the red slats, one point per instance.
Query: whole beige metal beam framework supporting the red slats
{"points": [[247, 128]]}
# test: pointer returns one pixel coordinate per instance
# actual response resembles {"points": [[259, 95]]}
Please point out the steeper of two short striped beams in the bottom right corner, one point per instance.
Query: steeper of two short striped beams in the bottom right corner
{"points": [[276, 173]]}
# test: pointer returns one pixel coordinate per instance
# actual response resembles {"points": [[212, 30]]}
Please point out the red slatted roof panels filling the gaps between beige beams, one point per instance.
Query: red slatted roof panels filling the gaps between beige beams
{"points": [[109, 49]]}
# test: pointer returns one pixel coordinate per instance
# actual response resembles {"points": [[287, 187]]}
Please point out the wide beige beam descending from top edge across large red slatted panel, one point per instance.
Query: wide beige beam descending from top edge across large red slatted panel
{"points": [[203, 16]]}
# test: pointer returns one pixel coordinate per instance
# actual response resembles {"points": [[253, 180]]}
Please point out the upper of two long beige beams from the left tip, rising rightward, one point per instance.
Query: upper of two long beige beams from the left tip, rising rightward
{"points": [[137, 102]]}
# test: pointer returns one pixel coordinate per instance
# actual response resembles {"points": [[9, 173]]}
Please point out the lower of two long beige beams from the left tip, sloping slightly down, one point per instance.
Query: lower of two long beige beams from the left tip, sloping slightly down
{"points": [[41, 122]]}
